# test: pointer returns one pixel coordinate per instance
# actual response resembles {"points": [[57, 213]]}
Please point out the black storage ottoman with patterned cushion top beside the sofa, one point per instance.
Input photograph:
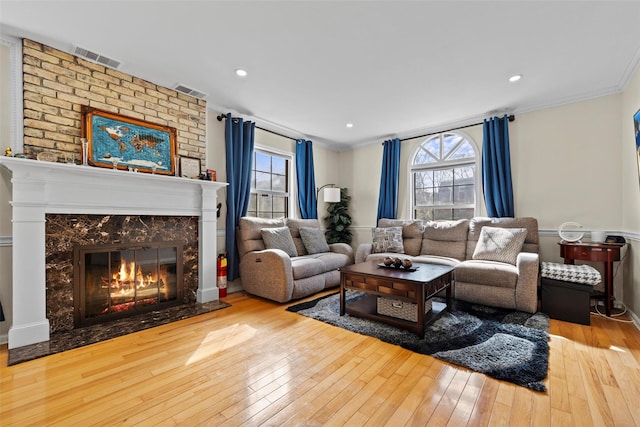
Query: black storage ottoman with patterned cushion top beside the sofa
{"points": [[566, 291]]}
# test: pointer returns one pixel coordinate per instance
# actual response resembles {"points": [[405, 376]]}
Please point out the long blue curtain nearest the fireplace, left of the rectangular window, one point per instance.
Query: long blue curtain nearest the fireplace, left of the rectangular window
{"points": [[239, 137]]}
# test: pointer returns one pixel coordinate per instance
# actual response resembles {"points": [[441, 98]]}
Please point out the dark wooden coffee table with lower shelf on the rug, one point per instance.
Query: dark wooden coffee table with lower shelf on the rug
{"points": [[413, 287]]}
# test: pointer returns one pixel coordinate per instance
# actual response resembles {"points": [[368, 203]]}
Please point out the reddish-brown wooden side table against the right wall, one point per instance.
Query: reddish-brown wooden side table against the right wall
{"points": [[597, 252]]}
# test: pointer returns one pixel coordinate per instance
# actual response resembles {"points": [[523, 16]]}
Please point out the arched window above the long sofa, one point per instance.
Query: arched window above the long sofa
{"points": [[443, 178]]}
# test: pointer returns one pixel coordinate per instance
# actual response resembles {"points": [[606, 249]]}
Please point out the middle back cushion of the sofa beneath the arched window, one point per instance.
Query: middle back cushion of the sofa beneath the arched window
{"points": [[445, 238]]}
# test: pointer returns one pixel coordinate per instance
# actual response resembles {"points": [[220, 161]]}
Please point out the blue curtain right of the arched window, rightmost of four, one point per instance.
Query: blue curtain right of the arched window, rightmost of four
{"points": [[496, 168]]}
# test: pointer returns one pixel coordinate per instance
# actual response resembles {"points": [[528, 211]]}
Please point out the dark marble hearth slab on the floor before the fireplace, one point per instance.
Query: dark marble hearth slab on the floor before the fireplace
{"points": [[67, 340]]}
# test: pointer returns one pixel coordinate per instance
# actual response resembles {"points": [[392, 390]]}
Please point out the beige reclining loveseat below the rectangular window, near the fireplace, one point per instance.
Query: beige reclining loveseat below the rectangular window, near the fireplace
{"points": [[281, 276]]}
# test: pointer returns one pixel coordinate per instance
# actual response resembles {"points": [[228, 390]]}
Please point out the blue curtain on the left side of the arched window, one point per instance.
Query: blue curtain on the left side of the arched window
{"points": [[388, 198]]}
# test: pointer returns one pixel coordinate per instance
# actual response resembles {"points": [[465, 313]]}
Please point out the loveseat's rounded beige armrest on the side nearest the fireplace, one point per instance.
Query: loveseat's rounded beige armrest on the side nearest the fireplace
{"points": [[267, 274]]}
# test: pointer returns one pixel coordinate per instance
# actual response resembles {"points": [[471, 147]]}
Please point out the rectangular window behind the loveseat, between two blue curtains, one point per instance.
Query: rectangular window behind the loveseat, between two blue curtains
{"points": [[269, 185]]}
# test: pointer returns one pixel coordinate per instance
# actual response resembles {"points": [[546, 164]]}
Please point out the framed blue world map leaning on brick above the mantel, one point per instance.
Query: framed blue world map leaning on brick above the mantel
{"points": [[121, 142]]}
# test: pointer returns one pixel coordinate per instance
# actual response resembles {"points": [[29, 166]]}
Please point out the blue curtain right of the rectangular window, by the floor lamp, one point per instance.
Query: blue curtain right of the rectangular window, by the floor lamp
{"points": [[306, 180]]}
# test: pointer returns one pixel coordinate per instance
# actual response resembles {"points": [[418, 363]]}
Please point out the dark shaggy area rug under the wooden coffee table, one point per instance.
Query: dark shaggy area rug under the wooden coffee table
{"points": [[504, 344]]}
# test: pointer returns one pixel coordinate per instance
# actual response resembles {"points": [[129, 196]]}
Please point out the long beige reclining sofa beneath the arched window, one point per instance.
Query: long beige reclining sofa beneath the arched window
{"points": [[479, 277]]}
